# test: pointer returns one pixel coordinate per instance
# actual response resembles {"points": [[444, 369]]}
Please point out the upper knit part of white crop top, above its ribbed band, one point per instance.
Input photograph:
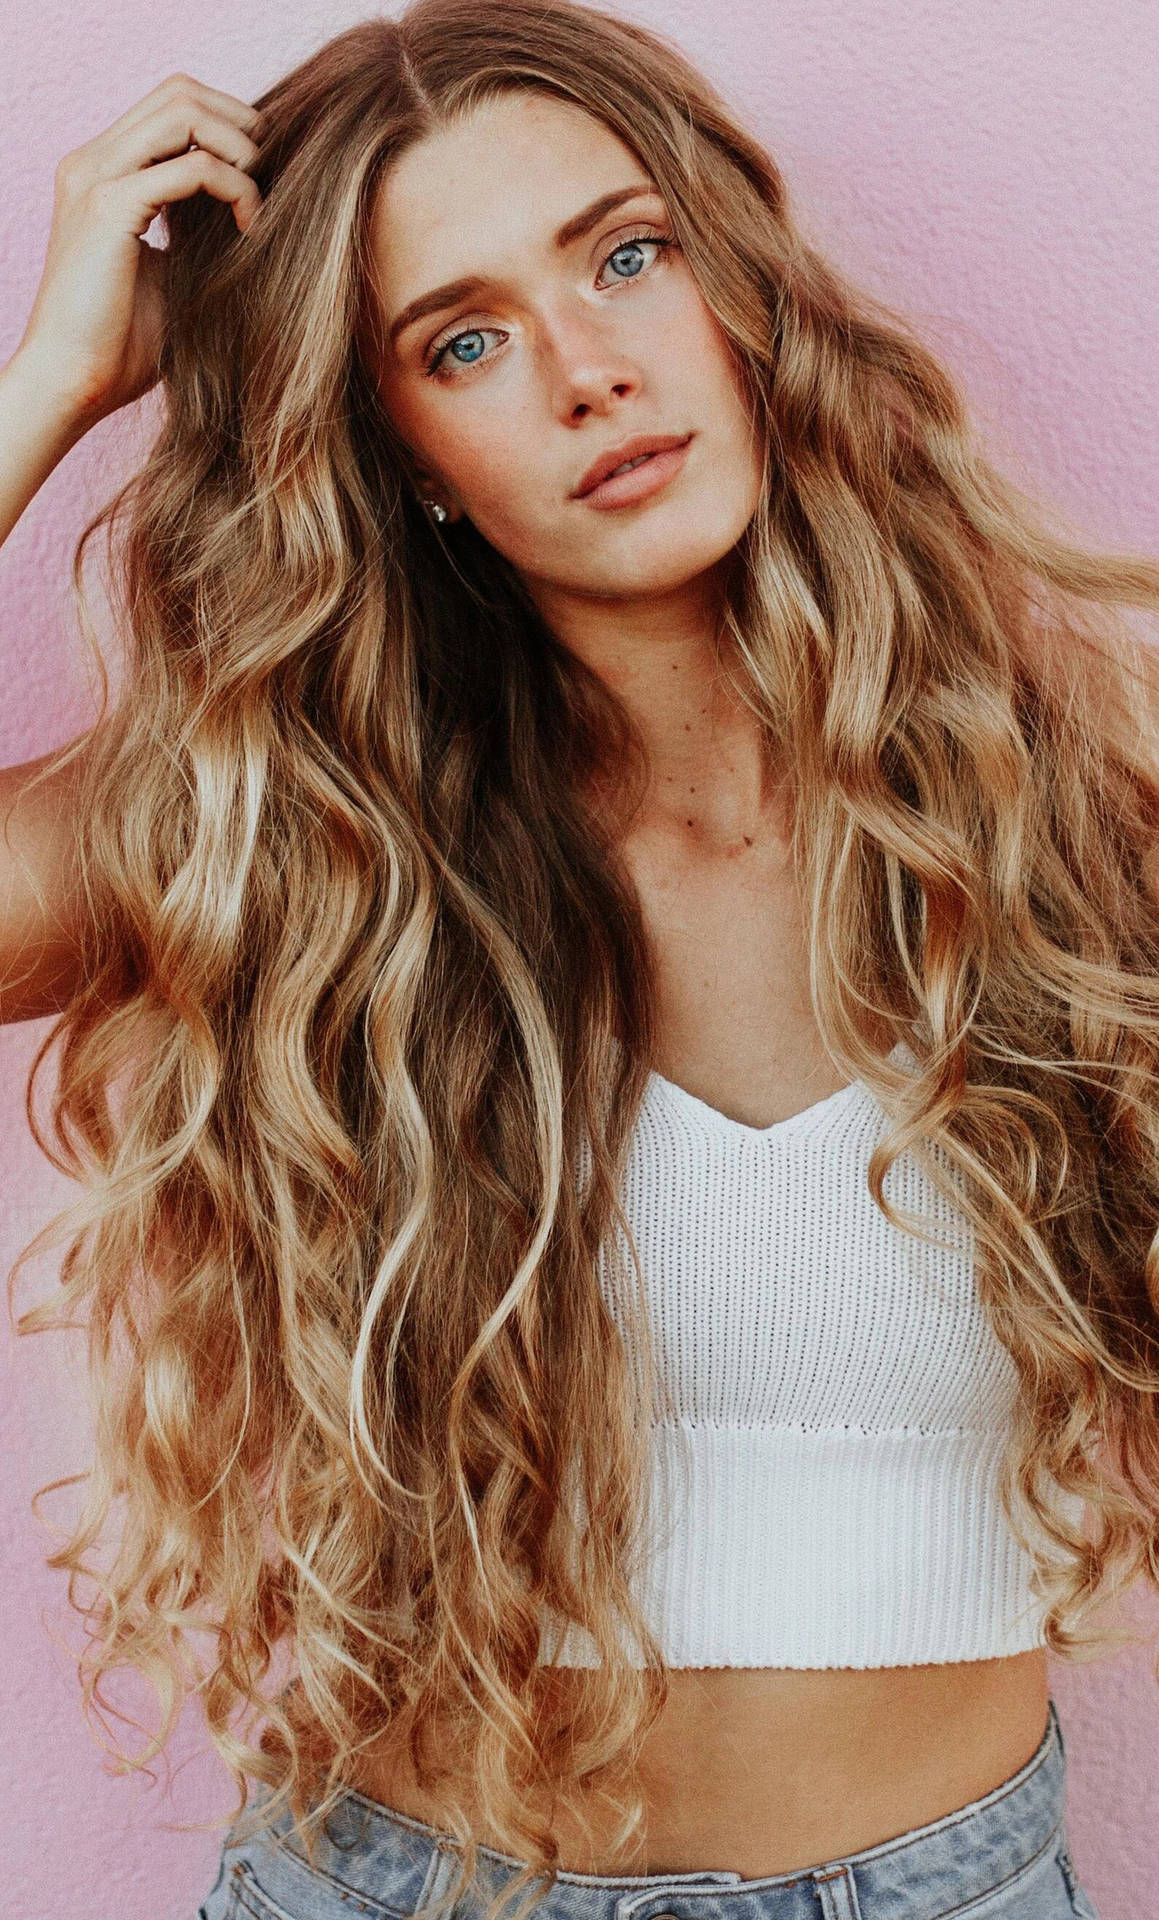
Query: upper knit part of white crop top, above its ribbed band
{"points": [[778, 1291]]}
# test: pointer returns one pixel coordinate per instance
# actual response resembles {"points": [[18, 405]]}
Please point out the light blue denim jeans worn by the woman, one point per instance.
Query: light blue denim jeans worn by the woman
{"points": [[1005, 1858]]}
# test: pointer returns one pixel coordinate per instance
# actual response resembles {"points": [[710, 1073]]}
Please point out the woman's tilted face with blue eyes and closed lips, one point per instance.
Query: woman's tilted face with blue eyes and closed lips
{"points": [[569, 345]]}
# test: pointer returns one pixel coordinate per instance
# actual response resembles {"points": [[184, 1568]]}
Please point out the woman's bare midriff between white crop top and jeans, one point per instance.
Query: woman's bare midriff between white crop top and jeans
{"points": [[767, 1771]]}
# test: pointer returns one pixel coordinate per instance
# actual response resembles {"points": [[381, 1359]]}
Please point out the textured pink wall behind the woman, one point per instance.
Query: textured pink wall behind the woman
{"points": [[989, 170]]}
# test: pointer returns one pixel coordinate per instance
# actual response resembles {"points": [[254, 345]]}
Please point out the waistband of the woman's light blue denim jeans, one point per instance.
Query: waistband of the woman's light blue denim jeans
{"points": [[402, 1865]]}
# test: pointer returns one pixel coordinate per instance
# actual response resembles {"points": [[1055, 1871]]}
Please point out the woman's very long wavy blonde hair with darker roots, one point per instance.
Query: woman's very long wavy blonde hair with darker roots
{"points": [[367, 980]]}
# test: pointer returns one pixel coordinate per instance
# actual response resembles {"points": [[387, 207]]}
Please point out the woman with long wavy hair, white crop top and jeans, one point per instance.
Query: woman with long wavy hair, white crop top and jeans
{"points": [[607, 967]]}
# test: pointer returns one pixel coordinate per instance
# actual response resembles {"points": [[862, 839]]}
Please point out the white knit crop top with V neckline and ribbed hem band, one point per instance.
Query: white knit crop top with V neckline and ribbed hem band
{"points": [[841, 1393]]}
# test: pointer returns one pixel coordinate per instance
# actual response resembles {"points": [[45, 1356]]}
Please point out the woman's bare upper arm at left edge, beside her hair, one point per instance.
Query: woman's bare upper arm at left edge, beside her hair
{"points": [[41, 898]]}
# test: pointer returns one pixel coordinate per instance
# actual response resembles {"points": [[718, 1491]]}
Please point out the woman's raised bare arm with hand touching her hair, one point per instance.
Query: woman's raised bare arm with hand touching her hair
{"points": [[91, 347]]}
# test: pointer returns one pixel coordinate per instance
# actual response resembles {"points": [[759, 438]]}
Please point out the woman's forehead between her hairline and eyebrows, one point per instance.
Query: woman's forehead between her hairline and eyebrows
{"points": [[508, 174]]}
